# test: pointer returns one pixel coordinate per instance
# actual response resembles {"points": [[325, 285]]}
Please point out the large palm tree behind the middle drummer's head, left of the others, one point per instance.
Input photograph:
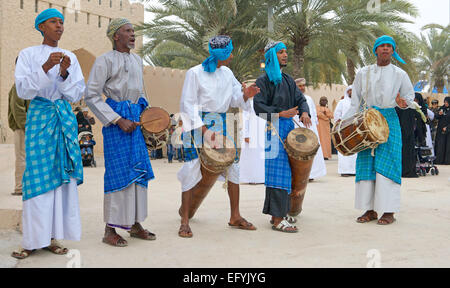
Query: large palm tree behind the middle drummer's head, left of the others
{"points": [[192, 23]]}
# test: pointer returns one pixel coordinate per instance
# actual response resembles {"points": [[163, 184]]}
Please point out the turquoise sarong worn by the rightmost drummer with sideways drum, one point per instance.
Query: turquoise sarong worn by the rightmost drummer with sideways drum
{"points": [[388, 156]]}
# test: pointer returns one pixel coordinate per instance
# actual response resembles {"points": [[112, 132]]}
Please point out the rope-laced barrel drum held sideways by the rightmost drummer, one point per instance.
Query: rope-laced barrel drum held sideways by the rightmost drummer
{"points": [[365, 130]]}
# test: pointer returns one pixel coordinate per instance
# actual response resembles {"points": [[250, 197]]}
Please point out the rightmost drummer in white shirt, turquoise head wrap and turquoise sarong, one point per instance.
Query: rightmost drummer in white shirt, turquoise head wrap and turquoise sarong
{"points": [[378, 177]]}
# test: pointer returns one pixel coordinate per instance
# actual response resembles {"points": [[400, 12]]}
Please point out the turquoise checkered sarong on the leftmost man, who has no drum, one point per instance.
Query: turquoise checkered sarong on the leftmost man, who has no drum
{"points": [[51, 145]]}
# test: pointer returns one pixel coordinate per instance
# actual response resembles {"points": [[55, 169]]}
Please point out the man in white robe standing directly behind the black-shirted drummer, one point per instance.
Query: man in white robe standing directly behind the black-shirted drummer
{"points": [[319, 169]]}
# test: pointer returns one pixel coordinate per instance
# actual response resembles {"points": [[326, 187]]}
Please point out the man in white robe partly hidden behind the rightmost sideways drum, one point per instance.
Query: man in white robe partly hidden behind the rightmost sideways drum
{"points": [[346, 164]]}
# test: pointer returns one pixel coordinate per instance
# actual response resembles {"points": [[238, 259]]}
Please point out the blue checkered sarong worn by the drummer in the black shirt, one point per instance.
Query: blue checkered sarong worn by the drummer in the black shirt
{"points": [[278, 169]]}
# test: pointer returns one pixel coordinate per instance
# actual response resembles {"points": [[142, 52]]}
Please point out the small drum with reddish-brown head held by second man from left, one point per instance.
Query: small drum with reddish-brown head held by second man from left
{"points": [[155, 123]]}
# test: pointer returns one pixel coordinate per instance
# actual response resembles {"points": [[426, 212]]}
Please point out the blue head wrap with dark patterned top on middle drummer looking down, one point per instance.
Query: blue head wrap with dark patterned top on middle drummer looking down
{"points": [[220, 48]]}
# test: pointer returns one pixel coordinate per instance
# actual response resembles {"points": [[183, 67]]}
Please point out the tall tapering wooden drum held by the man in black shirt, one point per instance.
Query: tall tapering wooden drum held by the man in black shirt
{"points": [[301, 146]]}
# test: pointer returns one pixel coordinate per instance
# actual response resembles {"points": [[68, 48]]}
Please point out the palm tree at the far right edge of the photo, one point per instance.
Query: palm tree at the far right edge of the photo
{"points": [[434, 58]]}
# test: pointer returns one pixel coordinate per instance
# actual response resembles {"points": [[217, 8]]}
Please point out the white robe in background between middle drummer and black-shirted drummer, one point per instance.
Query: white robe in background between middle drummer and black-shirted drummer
{"points": [[252, 160]]}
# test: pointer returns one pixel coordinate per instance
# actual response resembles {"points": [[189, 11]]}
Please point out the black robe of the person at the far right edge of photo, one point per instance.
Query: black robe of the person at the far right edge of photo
{"points": [[442, 143]]}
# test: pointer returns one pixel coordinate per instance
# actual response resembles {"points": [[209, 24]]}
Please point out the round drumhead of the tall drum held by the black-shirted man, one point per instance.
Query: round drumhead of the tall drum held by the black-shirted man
{"points": [[303, 142]]}
